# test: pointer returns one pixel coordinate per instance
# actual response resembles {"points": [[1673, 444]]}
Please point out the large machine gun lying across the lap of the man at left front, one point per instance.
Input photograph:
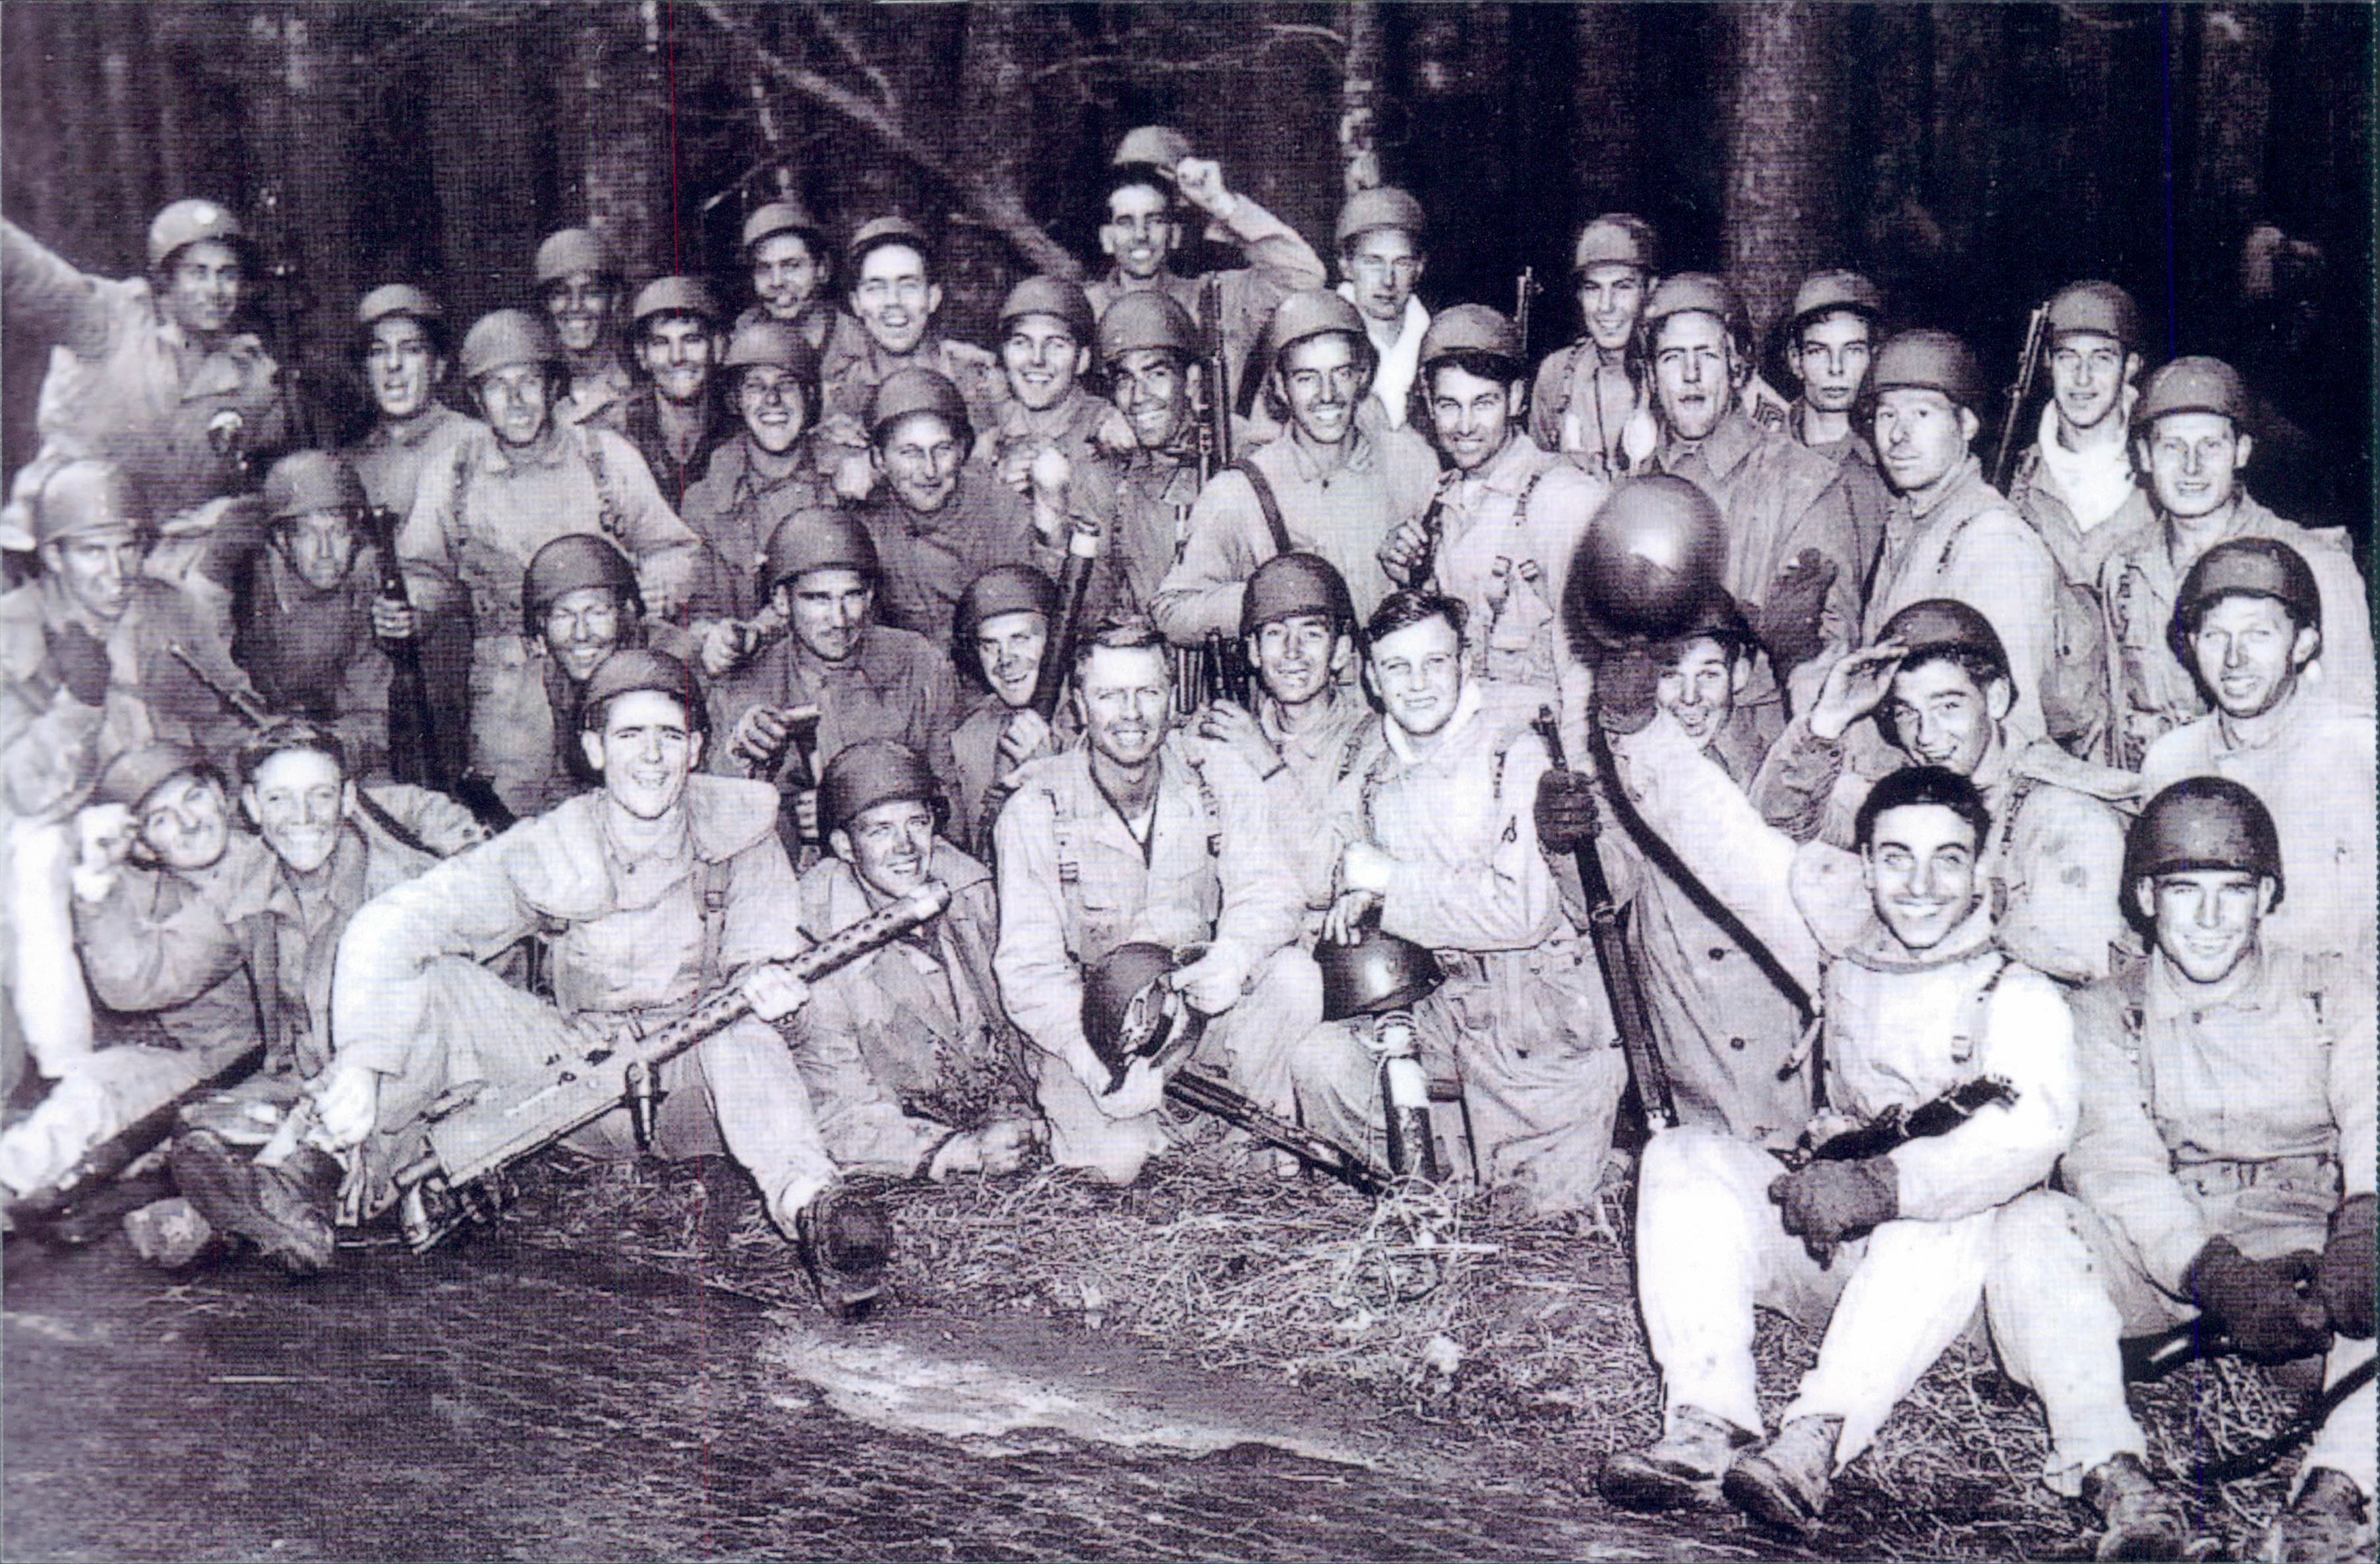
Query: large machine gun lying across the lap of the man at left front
{"points": [[475, 1144]]}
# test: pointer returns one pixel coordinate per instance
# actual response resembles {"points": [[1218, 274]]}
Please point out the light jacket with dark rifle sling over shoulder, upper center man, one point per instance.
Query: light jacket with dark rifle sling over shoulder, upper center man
{"points": [[1341, 513]]}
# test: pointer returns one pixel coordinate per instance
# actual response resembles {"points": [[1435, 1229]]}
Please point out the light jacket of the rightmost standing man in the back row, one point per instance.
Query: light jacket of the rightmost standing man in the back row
{"points": [[2138, 587]]}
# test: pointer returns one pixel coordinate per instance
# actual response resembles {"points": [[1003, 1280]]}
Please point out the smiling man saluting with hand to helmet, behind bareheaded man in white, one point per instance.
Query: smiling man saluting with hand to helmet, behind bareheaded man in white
{"points": [[1941, 694]]}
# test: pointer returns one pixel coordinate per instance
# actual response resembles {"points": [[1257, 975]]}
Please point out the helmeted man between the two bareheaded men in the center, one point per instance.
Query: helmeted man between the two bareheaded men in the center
{"points": [[1310, 730]]}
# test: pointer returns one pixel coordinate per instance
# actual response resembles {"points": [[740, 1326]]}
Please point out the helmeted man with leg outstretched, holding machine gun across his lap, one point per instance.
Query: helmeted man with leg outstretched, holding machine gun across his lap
{"points": [[656, 892]]}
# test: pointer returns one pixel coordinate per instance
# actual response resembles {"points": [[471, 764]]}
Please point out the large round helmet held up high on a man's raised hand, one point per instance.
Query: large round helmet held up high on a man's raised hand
{"points": [[1646, 563]]}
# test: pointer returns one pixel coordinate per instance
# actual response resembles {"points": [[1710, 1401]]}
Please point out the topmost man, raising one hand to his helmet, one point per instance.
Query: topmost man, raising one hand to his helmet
{"points": [[1151, 180]]}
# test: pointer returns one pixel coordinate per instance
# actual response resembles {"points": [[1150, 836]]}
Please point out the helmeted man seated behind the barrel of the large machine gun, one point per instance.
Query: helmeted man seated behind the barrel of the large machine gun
{"points": [[913, 1068]]}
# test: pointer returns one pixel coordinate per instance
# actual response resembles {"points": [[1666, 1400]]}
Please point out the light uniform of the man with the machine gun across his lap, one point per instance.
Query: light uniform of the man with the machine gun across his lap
{"points": [[637, 941]]}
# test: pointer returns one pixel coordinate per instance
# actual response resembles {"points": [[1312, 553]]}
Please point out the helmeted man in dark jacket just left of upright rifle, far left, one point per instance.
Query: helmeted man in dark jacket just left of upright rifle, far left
{"points": [[311, 620]]}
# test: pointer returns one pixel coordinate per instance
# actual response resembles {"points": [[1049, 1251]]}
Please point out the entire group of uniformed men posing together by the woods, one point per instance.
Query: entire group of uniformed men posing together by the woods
{"points": [[739, 627]]}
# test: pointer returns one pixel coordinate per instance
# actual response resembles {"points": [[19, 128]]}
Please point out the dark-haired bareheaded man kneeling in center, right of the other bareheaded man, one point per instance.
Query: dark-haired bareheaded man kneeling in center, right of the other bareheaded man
{"points": [[1439, 844]]}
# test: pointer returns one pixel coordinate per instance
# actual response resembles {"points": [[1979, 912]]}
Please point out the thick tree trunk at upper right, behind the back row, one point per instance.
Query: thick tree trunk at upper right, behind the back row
{"points": [[1784, 211]]}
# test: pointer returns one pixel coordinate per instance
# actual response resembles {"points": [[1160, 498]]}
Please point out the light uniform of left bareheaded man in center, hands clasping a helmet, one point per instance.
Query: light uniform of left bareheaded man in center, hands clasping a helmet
{"points": [[1077, 882]]}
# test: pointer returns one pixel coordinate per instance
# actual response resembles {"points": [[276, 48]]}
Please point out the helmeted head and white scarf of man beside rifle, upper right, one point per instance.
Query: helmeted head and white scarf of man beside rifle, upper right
{"points": [[2077, 480]]}
